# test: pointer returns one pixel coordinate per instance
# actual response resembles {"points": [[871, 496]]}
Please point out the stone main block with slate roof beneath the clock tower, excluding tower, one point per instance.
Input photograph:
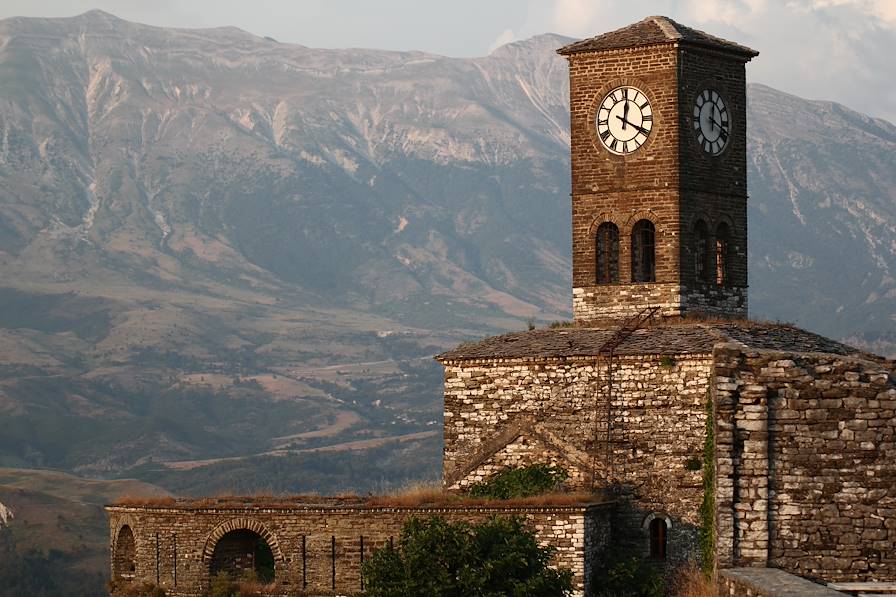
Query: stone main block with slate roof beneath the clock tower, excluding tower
{"points": [[805, 437]]}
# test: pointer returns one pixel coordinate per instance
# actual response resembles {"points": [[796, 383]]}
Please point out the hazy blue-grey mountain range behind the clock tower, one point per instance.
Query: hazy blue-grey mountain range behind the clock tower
{"points": [[222, 253]]}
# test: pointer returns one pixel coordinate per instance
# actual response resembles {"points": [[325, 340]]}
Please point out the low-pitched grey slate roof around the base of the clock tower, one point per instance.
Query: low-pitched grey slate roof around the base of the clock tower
{"points": [[664, 339]]}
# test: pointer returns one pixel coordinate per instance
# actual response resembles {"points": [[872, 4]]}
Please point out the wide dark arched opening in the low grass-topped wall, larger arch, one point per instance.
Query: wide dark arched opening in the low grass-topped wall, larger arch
{"points": [[241, 553]]}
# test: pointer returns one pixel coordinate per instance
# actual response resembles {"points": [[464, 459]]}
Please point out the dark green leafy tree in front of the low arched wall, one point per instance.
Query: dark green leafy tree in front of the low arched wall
{"points": [[497, 558]]}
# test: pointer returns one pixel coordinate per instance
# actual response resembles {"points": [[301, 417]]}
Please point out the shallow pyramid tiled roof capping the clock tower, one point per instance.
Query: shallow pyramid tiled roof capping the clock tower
{"points": [[652, 31]]}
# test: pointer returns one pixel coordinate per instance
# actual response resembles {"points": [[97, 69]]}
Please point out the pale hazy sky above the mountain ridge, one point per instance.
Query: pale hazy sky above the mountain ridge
{"points": [[842, 50]]}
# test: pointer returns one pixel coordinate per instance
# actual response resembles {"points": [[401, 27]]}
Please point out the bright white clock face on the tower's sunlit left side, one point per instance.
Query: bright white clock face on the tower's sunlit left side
{"points": [[624, 119]]}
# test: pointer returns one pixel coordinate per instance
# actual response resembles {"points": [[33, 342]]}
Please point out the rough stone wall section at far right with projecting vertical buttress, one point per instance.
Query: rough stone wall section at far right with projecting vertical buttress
{"points": [[806, 463]]}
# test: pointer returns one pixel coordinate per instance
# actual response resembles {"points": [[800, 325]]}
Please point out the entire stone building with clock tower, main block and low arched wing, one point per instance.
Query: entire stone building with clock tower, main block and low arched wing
{"points": [[661, 396]]}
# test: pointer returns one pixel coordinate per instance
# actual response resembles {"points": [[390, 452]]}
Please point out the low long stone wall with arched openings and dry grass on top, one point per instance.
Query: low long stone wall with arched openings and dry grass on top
{"points": [[318, 551]]}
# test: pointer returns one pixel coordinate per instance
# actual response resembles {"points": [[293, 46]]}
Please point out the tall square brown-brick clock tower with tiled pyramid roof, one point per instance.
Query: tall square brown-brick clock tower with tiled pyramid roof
{"points": [[659, 180]]}
